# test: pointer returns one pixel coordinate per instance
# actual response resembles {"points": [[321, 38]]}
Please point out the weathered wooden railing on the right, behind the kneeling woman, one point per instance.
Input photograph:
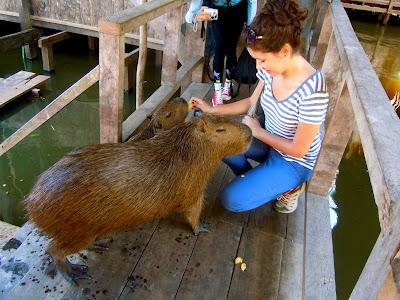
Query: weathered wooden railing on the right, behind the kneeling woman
{"points": [[357, 97]]}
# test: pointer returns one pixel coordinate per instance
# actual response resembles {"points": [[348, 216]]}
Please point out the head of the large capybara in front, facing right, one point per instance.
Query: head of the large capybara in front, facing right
{"points": [[231, 136]]}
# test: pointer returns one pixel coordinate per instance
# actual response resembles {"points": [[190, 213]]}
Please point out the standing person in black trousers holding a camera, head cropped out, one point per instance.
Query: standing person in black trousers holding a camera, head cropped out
{"points": [[226, 30]]}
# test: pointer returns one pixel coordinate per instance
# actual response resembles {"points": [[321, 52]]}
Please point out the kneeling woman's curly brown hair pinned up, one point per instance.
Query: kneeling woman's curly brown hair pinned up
{"points": [[278, 22]]}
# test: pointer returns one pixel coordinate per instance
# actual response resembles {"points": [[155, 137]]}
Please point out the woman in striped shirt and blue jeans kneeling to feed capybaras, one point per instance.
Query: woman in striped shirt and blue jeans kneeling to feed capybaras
{"points": [[294, 100]]}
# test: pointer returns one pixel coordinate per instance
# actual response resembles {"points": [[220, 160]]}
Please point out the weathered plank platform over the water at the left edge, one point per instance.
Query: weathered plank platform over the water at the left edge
{"points": [[18, 84]]}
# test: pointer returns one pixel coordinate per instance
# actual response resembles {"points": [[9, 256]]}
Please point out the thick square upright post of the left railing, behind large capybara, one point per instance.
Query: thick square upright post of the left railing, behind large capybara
{"points": [[111, 85]]}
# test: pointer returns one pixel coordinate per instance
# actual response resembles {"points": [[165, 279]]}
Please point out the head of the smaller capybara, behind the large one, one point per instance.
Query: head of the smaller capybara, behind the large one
{"points": [[170, 114]]}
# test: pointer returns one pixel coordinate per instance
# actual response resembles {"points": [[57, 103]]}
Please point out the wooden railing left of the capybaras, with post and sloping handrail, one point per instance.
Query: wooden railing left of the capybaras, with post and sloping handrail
{"points": [[111, 71]]}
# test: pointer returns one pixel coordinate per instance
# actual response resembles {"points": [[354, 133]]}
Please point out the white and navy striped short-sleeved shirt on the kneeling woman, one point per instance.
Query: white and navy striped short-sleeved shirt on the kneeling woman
{"points": [[307, 104]]}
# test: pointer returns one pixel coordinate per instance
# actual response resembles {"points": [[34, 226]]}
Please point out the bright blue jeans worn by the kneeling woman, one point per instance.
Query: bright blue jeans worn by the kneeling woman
{"points": [[253, 187]]}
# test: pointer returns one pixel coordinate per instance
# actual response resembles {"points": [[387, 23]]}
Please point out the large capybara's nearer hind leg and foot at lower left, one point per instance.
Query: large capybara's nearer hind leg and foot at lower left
{"points": [[71, 272]]}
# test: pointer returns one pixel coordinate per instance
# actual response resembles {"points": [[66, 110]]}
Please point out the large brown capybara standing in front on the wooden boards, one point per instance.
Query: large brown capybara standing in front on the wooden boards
{"points": [[103, 189]]}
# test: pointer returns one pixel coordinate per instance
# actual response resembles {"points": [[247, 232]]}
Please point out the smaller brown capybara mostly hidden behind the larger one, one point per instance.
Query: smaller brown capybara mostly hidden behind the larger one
{"points": [[167, 116]]}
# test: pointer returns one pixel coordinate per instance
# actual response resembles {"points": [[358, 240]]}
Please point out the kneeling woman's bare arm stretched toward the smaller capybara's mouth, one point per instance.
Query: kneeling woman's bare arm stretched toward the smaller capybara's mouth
{"points": [[237, 108]]}
